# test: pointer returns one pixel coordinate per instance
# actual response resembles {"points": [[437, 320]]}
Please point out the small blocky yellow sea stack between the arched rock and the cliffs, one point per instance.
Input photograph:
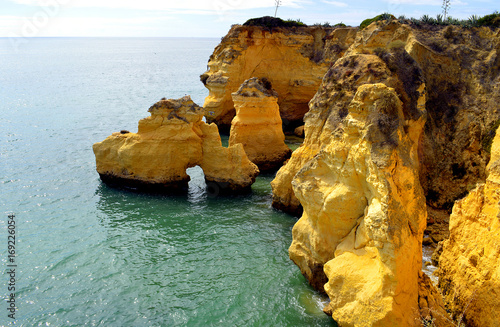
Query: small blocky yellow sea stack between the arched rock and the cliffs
{"points": [[257, 124]]}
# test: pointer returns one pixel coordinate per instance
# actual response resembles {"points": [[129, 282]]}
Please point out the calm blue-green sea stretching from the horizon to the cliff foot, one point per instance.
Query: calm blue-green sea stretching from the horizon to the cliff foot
{"points": [[89, 255]]}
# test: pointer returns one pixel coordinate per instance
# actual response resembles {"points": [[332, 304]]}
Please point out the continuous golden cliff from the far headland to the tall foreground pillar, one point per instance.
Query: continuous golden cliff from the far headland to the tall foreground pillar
{"points": [[358, 164]]}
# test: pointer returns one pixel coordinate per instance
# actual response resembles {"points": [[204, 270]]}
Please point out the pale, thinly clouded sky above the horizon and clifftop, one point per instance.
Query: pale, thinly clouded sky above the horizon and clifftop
{"points": [[200, 18]]}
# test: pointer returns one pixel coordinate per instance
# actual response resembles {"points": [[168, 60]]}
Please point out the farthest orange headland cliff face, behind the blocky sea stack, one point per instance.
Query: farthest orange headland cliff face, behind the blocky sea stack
{"points": [[294, 60]]}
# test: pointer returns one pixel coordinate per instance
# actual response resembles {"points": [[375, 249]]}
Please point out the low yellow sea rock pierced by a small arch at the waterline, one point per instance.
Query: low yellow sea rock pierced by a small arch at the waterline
{"points": [[168, 142]]}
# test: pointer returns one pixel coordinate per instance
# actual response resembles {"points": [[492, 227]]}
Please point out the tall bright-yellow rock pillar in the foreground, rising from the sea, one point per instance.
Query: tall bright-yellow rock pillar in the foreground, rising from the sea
{"points": [[364, 212]]}
